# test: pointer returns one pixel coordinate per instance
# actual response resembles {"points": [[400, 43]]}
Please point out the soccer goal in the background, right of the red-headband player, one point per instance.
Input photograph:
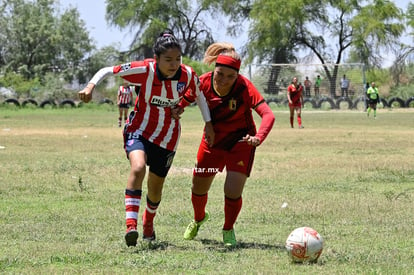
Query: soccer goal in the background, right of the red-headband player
{"points": [[272, 80]]}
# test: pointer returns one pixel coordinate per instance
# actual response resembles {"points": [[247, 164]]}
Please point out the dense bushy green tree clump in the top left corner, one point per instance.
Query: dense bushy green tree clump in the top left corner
{"points": [[39, 41]]}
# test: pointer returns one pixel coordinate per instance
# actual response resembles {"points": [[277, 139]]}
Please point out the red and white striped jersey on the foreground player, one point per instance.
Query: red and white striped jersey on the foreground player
{"points": [[152, 118]]}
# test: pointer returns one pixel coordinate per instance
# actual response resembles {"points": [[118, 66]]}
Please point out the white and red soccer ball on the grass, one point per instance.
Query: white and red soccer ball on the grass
{"points": [[304, 244]]}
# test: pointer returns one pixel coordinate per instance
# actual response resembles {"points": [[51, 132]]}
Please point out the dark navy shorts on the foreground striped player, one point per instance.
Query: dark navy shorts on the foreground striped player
{"points": [[159, 159]]}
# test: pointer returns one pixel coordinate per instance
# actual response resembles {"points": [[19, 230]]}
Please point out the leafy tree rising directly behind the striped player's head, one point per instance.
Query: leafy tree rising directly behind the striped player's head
{"points": [[149, 18]]}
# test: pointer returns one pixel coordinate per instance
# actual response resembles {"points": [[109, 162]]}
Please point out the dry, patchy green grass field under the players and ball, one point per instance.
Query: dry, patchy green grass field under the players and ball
{"points": [[63, 174]]}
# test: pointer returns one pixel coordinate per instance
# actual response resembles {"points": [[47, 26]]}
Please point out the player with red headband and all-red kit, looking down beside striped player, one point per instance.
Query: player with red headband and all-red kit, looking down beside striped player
{"points": [[231, 98]]}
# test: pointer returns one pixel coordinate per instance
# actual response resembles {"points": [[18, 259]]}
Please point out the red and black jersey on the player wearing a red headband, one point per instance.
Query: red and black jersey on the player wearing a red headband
{"points": [[231, 114]]}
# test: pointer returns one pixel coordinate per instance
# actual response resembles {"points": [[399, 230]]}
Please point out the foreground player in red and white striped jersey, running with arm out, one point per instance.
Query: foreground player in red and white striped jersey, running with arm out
{"points": [[152, 133]]}
